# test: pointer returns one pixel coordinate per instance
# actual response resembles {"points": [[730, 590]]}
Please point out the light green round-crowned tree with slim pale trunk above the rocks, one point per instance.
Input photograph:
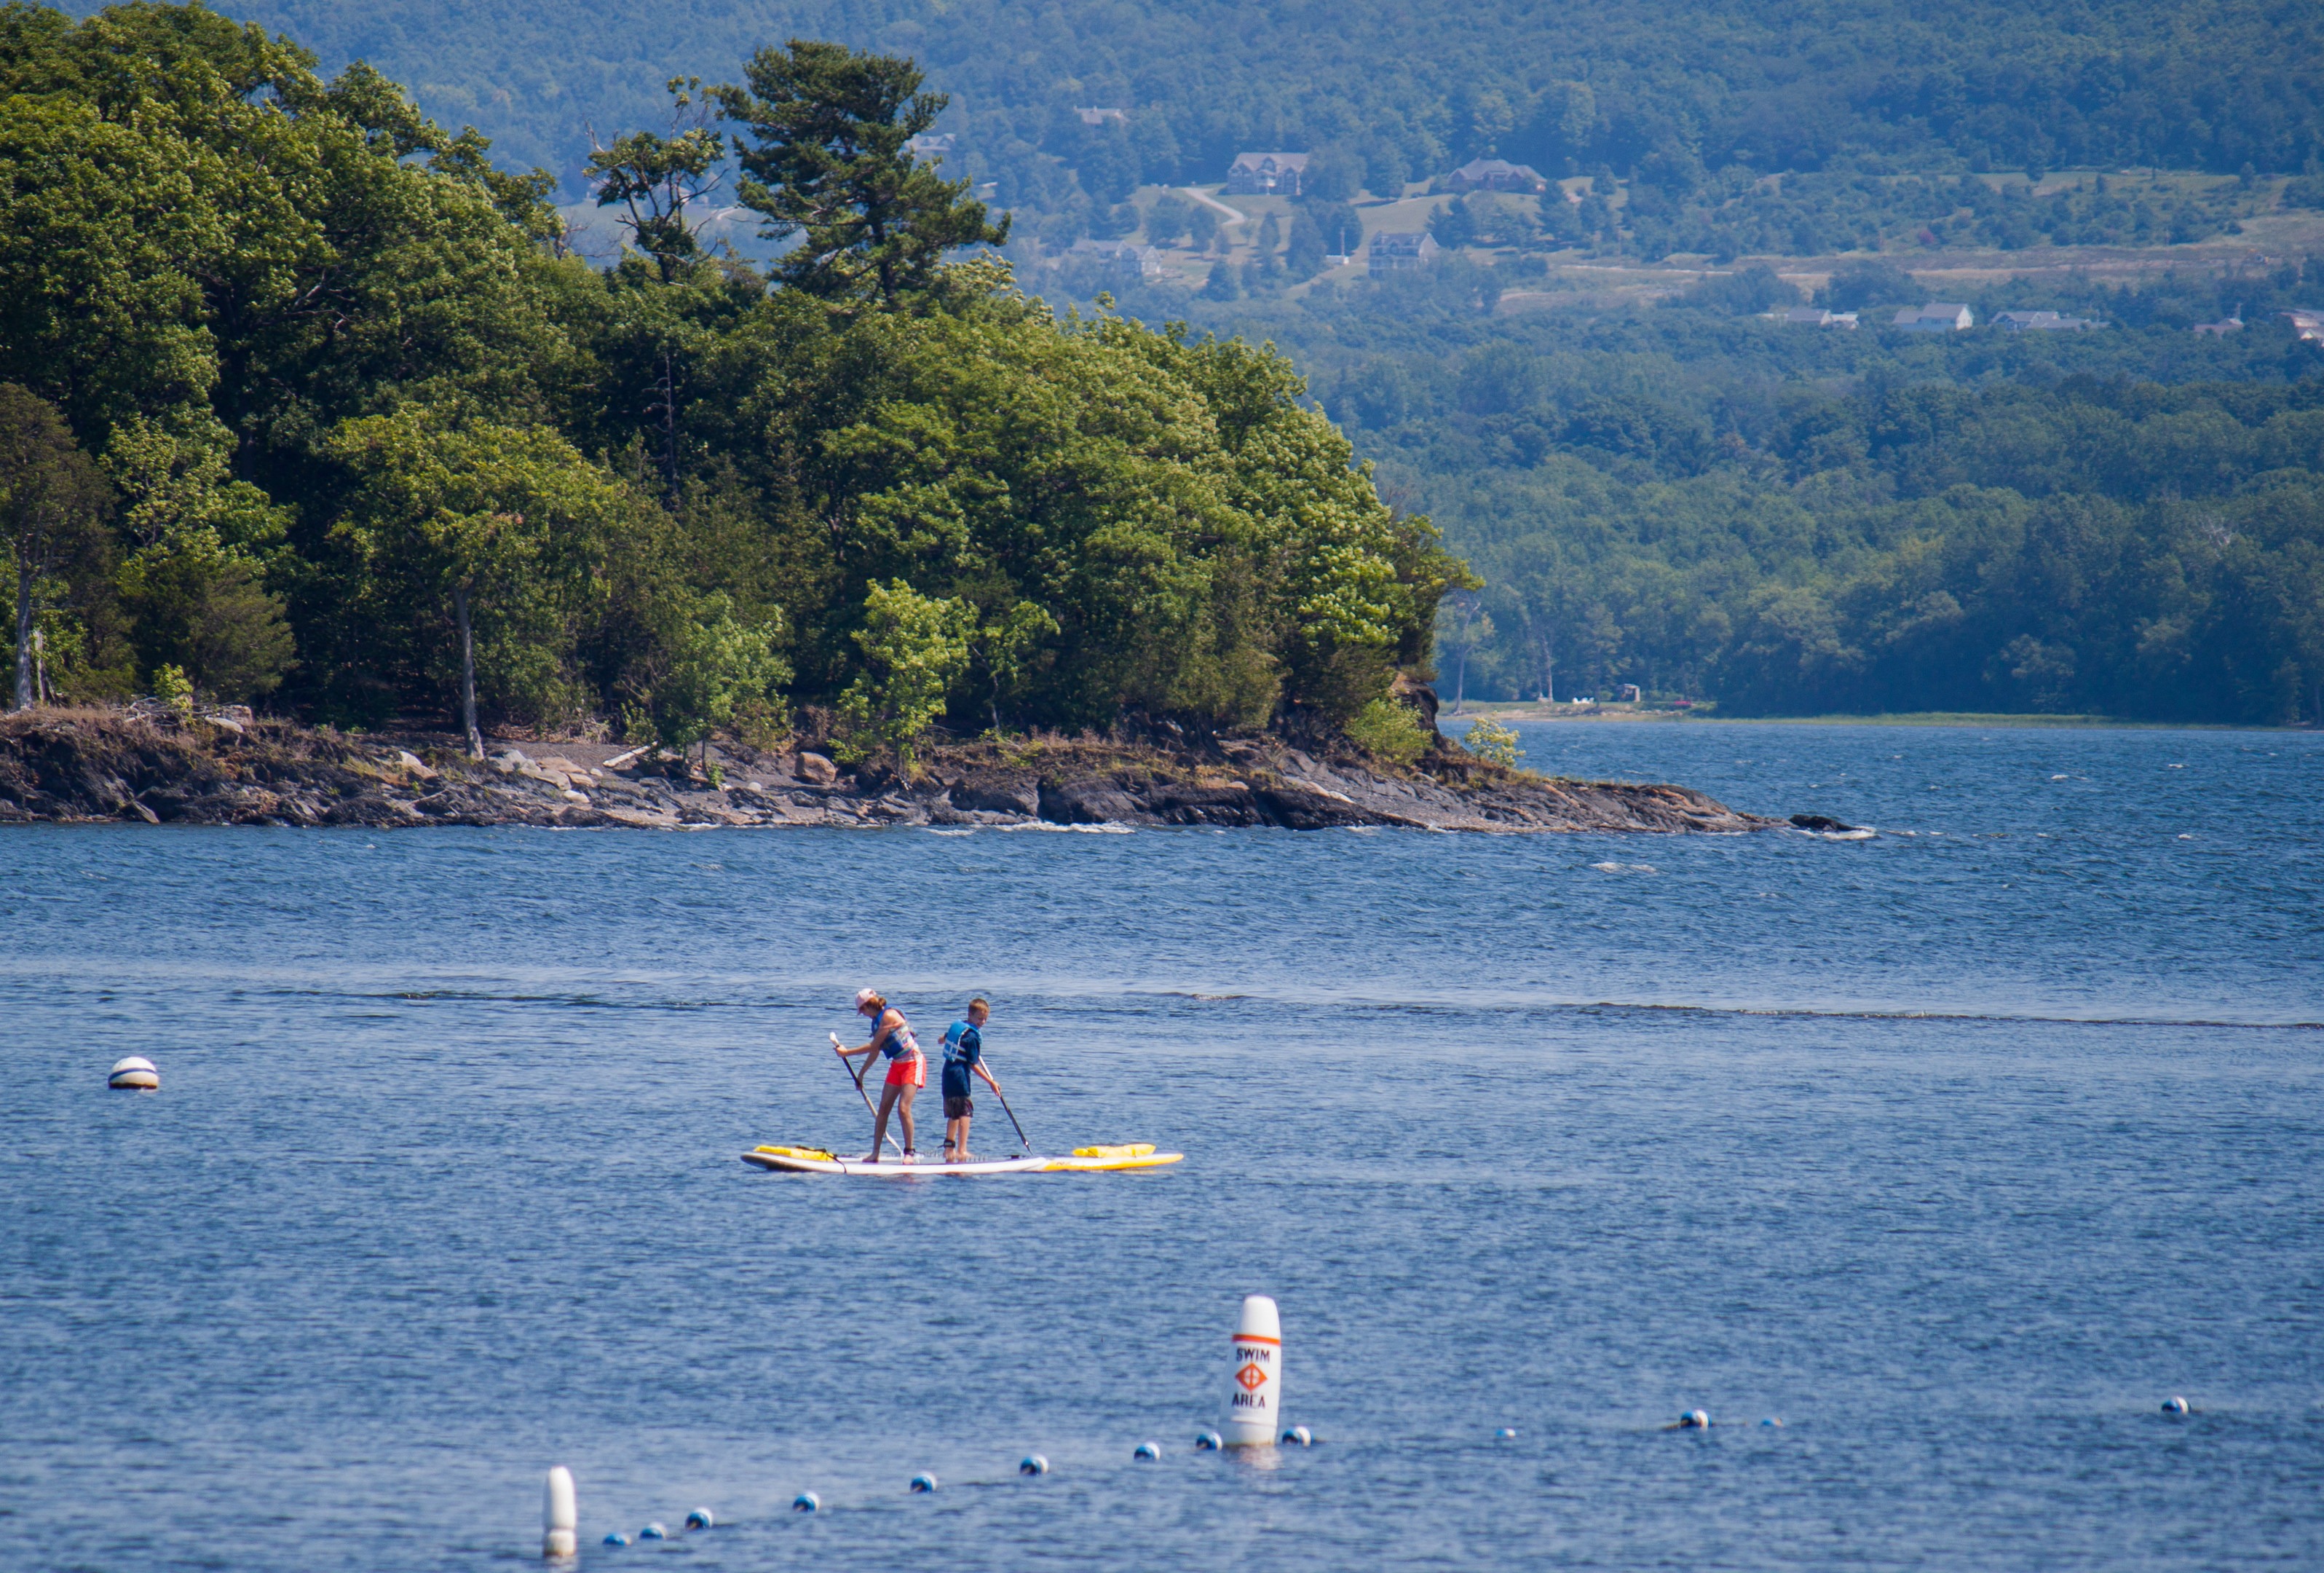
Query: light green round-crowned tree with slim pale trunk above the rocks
{"points": [[492, 519]]}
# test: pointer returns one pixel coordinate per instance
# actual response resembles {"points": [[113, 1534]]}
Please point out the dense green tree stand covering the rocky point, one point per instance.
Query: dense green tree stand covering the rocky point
{"points": [[303, 401]]}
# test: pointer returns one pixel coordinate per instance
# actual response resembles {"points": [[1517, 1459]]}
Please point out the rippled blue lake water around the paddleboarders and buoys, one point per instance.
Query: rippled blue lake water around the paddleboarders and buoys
{"points": [[1958, 1151]]}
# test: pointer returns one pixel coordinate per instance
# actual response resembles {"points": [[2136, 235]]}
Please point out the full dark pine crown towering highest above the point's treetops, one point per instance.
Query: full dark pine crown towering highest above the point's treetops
{"points": [[826, 159]]}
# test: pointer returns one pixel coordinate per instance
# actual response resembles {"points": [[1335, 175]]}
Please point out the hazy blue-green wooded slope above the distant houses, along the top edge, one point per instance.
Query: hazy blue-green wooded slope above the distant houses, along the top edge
{"points": [[1412, 87]]}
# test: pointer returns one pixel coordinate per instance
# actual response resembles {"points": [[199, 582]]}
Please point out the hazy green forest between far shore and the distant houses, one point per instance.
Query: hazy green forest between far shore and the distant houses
{"points": [[1793, 519]]}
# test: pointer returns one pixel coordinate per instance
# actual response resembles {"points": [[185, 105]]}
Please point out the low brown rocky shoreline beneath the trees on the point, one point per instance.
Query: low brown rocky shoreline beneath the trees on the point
{"points": [[157, 768]]}
